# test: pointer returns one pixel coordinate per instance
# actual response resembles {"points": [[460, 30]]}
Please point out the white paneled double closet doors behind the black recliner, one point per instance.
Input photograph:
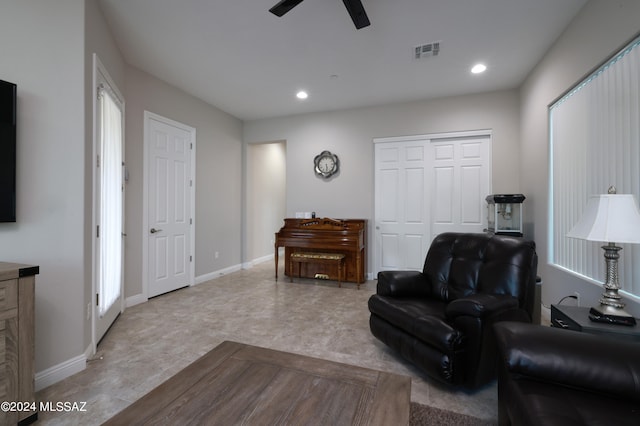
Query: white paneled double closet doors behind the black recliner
{"points": [[426, 185]]}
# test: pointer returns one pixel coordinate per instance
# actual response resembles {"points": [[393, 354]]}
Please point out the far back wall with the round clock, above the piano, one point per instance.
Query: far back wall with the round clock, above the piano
{"points": [[350, 133]]}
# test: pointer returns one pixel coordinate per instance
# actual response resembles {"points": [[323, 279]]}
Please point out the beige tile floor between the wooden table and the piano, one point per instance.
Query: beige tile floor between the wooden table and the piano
{"points": [[154, 340]]}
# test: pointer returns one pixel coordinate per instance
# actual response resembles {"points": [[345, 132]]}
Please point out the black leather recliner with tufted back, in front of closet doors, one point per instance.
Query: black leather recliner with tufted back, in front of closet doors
{"points": [[441, 319]]}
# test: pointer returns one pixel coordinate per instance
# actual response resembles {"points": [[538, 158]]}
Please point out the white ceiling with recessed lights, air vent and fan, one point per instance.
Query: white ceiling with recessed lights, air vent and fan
{"points": [[237, 56]]}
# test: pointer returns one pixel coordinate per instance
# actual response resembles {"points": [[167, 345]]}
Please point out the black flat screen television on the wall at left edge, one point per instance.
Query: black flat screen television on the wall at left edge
{"points": [[7, 151]]}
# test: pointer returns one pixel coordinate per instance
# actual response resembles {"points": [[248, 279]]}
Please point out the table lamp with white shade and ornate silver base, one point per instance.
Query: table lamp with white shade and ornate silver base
{"points": [[611, 218]]}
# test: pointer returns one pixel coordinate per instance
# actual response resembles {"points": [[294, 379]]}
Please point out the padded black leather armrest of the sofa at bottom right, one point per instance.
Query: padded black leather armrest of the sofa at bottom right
{"points": [[569, 358]]}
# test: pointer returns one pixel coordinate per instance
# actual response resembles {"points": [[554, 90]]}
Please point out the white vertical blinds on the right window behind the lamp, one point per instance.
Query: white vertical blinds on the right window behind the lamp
{"points": [[595, 143]]}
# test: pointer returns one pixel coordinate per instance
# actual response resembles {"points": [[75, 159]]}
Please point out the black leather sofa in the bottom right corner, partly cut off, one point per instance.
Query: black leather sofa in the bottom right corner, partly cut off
{"points": [[549, 376]]}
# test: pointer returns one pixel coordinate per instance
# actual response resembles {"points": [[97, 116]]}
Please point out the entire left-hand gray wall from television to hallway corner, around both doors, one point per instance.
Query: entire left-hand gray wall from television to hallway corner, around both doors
{"points": [[53, 70]]}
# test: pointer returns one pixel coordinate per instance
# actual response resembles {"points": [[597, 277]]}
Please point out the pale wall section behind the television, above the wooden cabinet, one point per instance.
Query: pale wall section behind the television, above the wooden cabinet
{"points": [[48, 67]]}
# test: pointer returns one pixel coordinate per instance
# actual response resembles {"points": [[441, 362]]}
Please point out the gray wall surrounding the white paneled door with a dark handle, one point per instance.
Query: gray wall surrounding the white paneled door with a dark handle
{"points": [[218, 175]]}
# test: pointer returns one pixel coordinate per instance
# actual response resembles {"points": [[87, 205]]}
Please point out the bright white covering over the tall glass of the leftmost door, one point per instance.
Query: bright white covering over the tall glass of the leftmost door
{"points": [[111, 181]]}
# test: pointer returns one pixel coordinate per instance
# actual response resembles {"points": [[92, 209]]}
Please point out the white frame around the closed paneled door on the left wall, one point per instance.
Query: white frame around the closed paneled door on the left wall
{"points": [[145, 195]]}
